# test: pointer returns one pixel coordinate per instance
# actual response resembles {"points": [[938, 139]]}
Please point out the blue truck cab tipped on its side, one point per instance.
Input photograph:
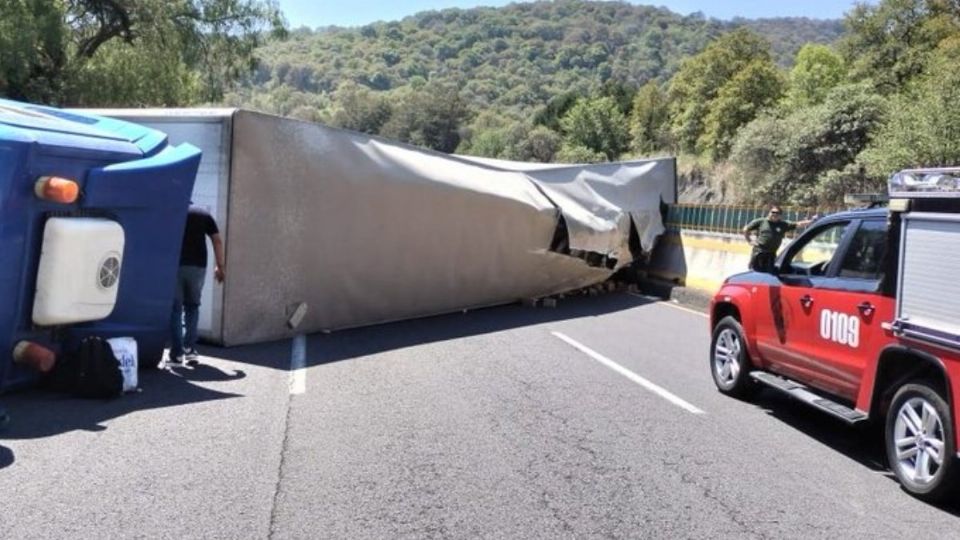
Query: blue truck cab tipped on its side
{"points": [[92, 212]]}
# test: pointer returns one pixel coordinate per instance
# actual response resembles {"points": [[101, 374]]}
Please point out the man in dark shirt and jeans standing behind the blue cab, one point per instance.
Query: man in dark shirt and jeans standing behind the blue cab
{"points": [[190, 277]]}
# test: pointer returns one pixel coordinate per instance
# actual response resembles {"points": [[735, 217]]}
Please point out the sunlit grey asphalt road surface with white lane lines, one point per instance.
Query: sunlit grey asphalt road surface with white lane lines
{"points": [[594, 419]]}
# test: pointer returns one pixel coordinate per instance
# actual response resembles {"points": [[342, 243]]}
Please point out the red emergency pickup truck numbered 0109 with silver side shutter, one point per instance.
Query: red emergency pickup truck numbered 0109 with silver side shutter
{"points": [[860, 319]]}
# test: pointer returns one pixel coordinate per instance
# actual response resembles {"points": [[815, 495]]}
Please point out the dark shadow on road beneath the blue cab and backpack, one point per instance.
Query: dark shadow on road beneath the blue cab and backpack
{"points": [[40, 413]]}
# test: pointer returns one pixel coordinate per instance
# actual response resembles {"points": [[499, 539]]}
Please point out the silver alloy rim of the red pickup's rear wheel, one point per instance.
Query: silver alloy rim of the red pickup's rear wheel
{"points": [[918, 439]]}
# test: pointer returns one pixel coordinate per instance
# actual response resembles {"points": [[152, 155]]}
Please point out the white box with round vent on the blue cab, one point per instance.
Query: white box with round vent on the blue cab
{"points": [[79, 272]]}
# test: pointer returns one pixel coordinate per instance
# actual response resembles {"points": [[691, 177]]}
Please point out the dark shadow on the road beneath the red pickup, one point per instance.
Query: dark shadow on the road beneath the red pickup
{"points": [[861, 444]]}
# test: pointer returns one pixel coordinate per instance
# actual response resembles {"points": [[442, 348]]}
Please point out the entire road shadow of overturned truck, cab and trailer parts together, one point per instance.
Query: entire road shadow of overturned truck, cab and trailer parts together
{"points": [[38, 413]]}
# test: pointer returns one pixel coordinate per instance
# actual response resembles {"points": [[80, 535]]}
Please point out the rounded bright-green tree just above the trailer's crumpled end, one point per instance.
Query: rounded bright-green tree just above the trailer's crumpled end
{"points": [[598, 125]]}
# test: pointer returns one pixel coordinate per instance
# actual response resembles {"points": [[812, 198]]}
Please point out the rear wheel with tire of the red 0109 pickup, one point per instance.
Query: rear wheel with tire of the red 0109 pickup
{"points": [[920, 443]]}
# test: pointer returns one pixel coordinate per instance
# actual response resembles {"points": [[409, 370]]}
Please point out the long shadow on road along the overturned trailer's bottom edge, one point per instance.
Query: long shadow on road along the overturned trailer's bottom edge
{"points": [[358, 342]]}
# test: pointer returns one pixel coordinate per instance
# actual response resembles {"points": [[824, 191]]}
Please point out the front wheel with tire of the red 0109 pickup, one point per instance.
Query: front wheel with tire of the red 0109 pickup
{"points": [[729, 360]]}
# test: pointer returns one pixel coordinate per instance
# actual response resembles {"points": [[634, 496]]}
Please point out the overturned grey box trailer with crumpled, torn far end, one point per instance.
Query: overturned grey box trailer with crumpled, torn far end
{"points": [[364, 230]]}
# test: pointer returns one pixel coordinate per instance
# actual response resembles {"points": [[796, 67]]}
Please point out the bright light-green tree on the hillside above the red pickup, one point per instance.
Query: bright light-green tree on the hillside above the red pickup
{"points": [[817, 70]]}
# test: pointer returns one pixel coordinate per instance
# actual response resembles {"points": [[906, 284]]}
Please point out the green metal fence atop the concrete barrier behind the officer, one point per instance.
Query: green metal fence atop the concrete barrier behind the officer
{"points": [[728, 219]]}
